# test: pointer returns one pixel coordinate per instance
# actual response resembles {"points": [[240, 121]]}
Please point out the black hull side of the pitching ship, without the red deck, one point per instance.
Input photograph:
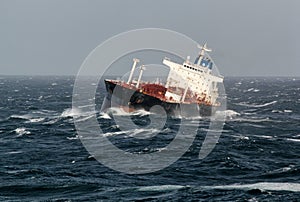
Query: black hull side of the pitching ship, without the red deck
{"points": [[119, 96]]}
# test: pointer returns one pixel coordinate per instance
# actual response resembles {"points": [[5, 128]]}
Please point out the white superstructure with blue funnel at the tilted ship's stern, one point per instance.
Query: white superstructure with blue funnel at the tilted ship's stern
{"points": [[196, 77]]}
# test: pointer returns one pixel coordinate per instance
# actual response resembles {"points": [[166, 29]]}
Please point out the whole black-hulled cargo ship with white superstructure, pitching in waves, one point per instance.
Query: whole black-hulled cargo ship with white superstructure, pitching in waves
{"points": [[189, 85]]}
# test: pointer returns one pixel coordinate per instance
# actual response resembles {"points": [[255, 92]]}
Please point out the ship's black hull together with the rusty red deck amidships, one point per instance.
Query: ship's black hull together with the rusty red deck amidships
{"points": [[130, 98]]}
